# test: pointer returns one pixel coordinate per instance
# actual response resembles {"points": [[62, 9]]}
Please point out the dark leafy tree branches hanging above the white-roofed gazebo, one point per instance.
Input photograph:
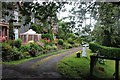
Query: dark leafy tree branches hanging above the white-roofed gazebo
{"points": [[44, 13]]}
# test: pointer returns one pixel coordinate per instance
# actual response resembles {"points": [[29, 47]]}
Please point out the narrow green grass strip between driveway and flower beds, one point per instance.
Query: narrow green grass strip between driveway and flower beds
{"points": [[27, 59]]}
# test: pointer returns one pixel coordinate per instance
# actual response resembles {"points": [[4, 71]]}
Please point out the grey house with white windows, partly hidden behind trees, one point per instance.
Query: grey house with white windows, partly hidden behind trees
{"points": [[18, 24]]}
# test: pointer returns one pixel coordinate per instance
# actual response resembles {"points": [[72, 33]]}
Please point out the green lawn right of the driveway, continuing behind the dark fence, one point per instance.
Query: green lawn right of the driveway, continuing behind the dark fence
{"points": [[73, 67]]}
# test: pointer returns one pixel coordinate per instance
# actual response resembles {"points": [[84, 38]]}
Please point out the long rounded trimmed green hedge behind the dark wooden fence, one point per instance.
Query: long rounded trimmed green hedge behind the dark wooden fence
{"points": [[105, 51]]}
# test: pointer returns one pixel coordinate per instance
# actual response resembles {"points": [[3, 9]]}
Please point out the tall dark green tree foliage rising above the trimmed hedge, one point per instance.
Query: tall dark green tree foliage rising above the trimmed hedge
{"points": [[106, 30]]}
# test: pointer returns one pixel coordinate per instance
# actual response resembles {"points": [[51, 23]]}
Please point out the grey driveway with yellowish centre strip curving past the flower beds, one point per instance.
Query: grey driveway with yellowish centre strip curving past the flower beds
{"points": [[37, 68]]}
